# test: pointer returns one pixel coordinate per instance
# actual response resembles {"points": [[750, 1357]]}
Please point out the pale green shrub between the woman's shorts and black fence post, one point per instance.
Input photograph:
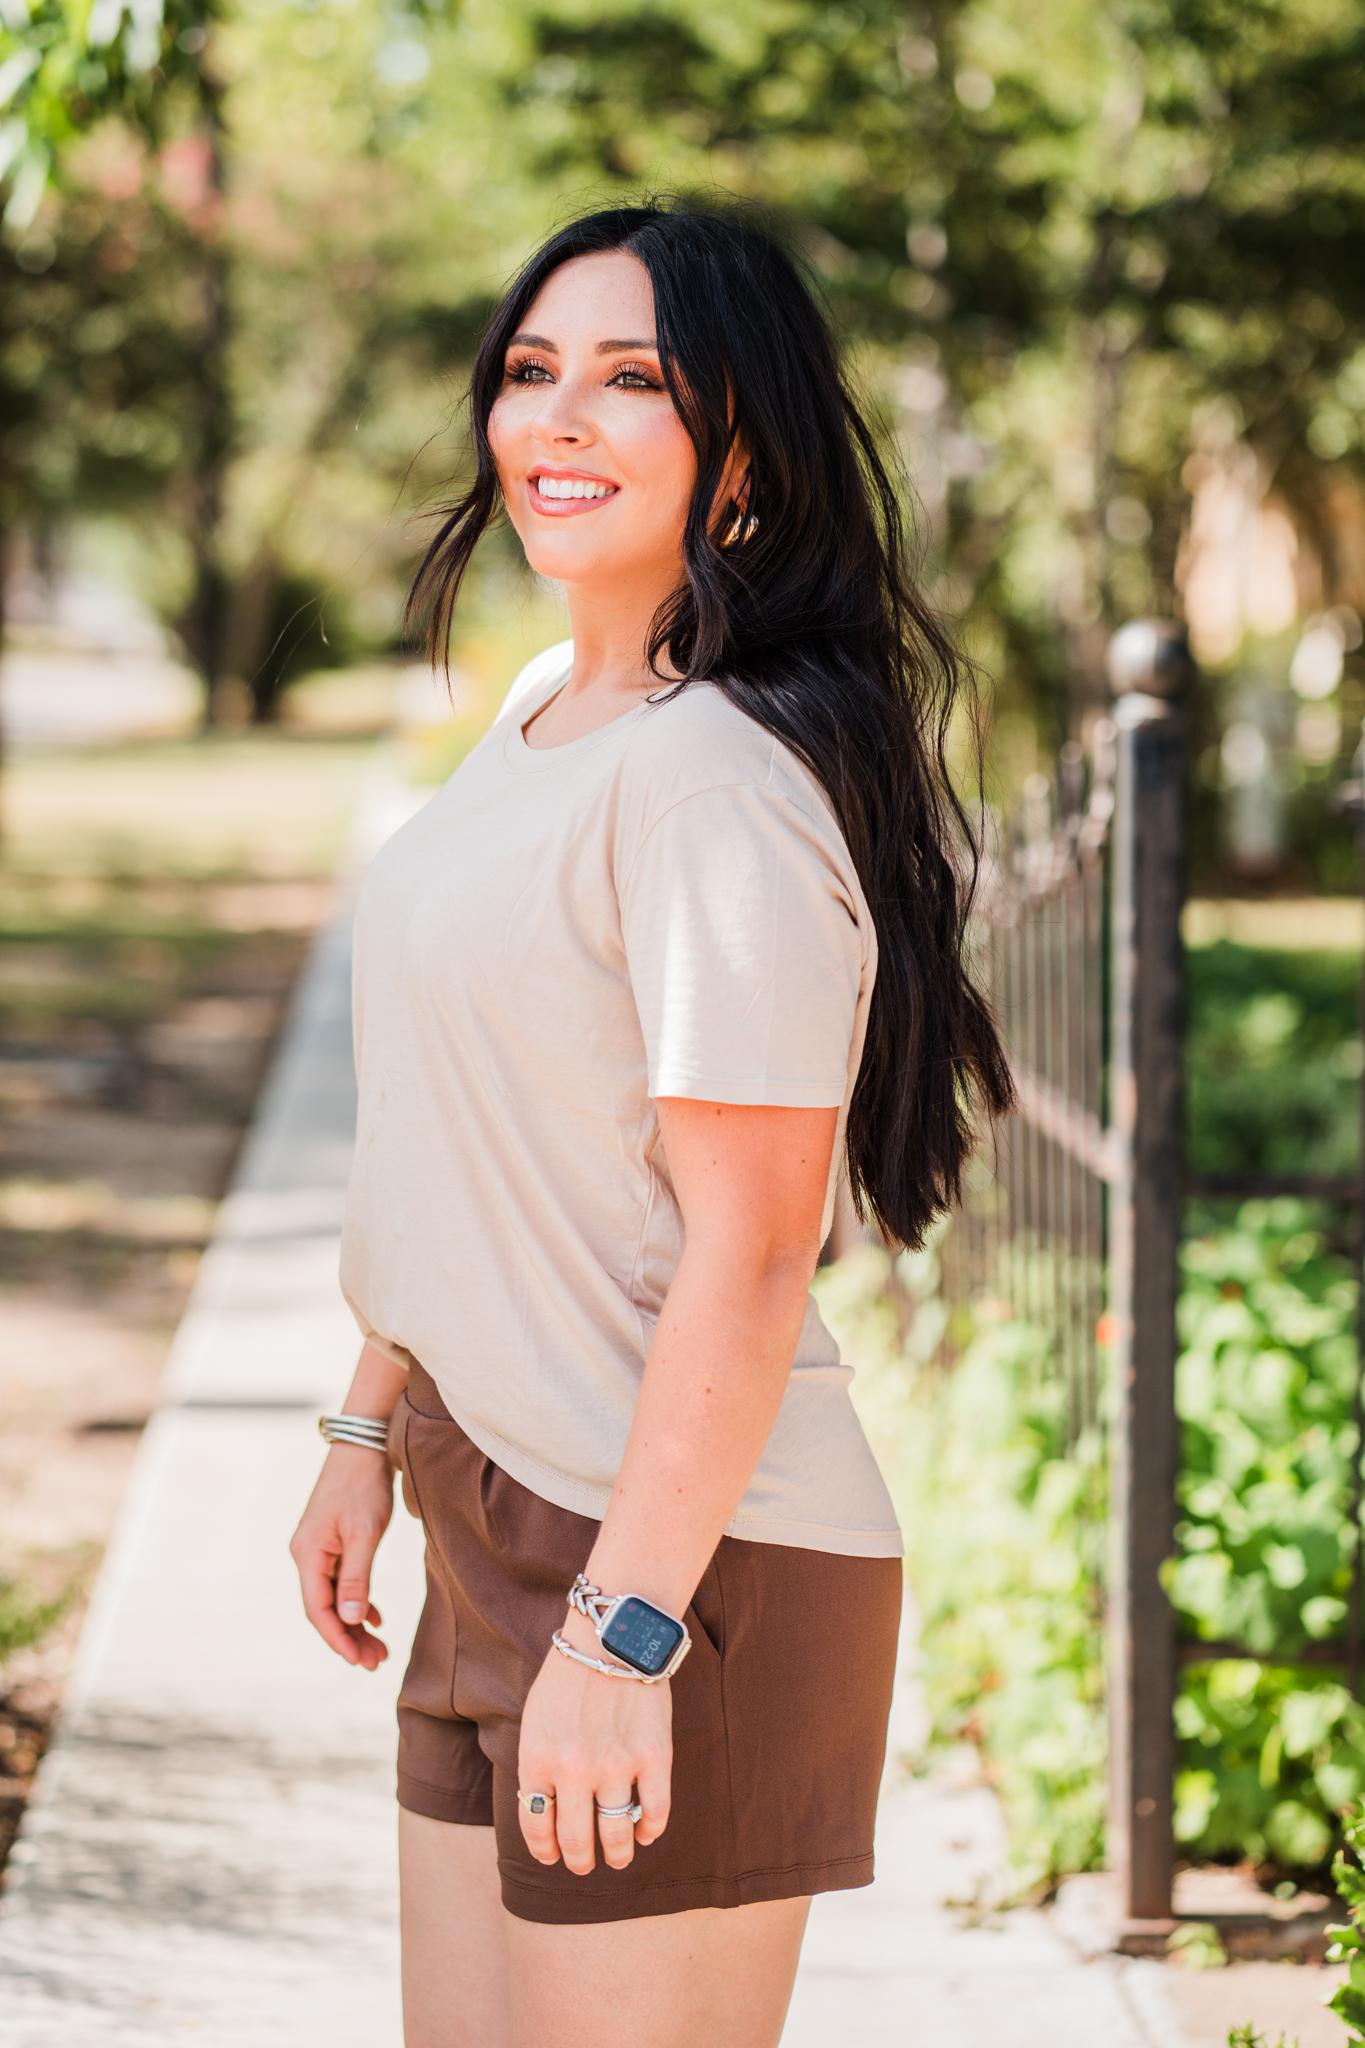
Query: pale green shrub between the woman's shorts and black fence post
{"points": [[1000, 1529]]}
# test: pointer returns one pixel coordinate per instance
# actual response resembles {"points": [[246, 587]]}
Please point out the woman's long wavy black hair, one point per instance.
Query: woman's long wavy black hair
{"points": [[811, 624]]}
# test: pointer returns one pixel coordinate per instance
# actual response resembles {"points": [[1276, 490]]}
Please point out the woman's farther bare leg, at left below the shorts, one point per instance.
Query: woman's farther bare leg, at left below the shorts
{"points": [[453, 1926]]}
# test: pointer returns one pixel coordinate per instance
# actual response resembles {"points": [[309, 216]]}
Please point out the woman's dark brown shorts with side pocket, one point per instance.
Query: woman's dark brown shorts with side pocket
{"points": [[779, 1709]]}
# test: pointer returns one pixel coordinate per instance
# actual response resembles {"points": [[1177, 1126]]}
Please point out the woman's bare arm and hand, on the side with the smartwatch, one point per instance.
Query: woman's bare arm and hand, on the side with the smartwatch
{"points": [[750, 1183]]}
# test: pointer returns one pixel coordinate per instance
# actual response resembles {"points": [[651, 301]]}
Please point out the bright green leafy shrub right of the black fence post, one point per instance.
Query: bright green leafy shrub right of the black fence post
{"points": [[1272, 1754]]}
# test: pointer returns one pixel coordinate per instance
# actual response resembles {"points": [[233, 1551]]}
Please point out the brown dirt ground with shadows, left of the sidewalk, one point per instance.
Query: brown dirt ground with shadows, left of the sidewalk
{"points": [[120, 1140]]}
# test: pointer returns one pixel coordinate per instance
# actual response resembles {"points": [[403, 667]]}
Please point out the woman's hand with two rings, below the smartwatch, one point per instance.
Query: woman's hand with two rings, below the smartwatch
{"points": [[588, 1740]]}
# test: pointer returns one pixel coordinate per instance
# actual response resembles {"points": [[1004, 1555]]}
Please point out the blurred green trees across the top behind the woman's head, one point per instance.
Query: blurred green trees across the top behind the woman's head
{"points": [[1100, 275]]}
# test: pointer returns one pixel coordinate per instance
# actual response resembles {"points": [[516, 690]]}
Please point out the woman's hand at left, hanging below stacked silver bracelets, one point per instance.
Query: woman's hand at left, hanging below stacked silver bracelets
{"points": [[335, 1549]]}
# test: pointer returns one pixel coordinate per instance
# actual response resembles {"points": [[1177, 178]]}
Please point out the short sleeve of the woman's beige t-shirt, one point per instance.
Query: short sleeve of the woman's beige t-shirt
{"points": [[744, 951]]}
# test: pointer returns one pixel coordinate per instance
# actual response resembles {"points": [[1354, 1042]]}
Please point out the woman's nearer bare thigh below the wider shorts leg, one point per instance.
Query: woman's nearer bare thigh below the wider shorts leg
{"points": [[664, 1981]]}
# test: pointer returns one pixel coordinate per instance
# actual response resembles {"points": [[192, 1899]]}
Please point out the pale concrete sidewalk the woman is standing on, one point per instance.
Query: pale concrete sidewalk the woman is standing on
{"points": [[212, 1848]]}
